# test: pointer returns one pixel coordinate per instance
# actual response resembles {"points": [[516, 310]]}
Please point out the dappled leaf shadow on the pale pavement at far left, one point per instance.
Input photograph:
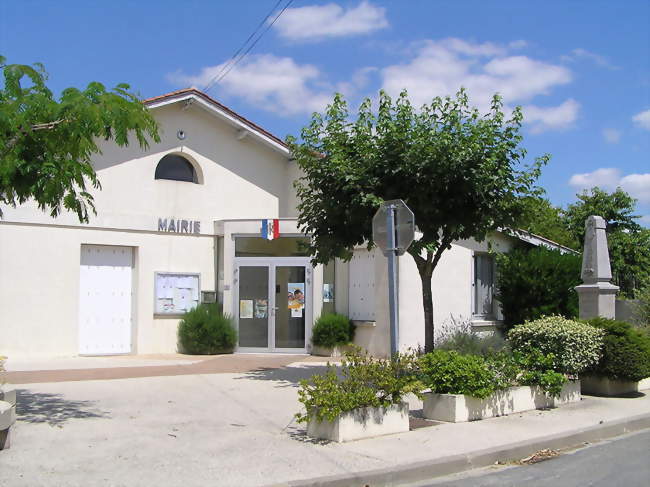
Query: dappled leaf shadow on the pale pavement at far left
{"points": [[53, 409]]}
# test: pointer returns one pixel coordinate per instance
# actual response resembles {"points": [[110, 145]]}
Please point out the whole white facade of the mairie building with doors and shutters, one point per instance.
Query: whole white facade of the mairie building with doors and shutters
{"points": [[181, 223]]}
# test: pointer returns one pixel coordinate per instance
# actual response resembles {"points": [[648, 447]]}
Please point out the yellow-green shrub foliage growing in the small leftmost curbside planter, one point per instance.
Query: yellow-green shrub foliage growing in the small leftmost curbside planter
{"points": [[360, 382]]}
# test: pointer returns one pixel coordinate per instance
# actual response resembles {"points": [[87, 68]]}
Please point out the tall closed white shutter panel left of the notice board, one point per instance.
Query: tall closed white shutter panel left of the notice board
{"points": [[105, 286]]}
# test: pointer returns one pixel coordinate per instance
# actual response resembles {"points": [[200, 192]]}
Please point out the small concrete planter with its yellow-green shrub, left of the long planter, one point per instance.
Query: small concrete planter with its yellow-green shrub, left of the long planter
{"points": [[361, 399]]}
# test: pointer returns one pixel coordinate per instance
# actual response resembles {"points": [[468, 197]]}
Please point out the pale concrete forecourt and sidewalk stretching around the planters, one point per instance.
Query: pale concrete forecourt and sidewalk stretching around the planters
{"points": [[237, 429]]}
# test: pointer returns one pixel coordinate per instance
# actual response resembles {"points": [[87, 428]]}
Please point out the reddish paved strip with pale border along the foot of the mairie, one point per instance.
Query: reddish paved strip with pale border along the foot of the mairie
{"points": [[127, 367]]}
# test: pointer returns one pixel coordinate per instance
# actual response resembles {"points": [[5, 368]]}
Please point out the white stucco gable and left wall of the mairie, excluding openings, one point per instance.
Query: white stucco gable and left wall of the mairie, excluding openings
{"points": [[239, 177]]}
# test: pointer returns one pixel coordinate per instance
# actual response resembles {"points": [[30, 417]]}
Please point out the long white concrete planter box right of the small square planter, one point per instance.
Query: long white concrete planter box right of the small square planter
{"points": [[456, 408]]}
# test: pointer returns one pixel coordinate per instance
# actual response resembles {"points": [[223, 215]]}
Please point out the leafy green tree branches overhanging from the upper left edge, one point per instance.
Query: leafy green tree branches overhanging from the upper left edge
{"points": [[46, 144]]}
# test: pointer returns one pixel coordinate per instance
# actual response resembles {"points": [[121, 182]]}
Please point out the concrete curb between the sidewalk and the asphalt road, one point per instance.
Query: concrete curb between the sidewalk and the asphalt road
{"points": [[422, 471]]}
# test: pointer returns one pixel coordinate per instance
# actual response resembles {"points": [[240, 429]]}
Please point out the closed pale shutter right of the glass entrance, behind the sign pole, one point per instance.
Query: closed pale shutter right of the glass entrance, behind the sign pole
{"points": [[362, 286]]}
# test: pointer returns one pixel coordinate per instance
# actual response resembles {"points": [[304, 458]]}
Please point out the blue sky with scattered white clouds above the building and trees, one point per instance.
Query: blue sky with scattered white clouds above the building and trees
{"points": [[580, 68]]}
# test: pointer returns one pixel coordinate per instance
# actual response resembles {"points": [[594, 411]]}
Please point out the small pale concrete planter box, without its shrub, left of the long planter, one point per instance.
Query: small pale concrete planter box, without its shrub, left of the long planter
{"points": [[362, 423]]}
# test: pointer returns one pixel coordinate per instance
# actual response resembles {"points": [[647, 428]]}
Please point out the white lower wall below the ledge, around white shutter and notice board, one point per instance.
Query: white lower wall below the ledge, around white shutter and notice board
{"points": [[39, 285]]}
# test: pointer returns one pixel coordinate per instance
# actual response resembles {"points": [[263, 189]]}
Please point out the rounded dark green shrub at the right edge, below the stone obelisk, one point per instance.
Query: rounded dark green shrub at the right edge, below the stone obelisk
{"points": [[624, 366]]}
